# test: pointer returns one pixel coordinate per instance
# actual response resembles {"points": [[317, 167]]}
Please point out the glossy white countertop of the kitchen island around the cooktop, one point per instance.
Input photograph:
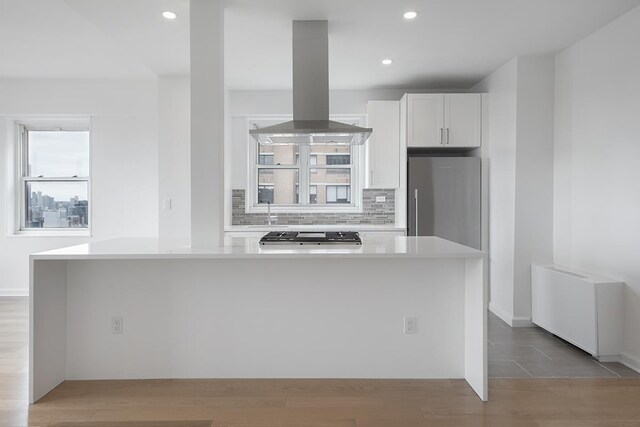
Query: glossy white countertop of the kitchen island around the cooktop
{"points": [[249, 247]]}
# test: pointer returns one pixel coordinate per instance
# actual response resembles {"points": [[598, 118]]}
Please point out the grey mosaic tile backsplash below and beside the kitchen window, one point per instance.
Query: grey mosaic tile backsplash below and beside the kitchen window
{"points": [[373, 213]]}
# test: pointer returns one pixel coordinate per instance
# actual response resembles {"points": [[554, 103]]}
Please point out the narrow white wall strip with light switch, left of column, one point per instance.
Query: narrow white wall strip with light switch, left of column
{"points": [[174, 157]]}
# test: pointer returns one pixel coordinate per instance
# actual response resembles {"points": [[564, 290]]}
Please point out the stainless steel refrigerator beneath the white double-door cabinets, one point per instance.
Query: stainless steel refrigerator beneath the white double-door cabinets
{"points": [[444, 198]]}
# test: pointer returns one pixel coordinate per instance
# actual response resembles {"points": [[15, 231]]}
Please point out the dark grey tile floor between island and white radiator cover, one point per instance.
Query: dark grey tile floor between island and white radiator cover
{"points": [[534, 352]]}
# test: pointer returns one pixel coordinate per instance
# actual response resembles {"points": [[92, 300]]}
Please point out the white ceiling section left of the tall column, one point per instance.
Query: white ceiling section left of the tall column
{"points": [[93, 38]]}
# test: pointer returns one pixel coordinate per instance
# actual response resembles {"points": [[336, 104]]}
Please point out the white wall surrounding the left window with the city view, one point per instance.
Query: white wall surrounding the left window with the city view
{"points": [[124, 161]]}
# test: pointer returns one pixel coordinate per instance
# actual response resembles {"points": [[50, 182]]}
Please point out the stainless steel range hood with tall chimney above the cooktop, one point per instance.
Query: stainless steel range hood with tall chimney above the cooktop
{"points": [[311, 124]]}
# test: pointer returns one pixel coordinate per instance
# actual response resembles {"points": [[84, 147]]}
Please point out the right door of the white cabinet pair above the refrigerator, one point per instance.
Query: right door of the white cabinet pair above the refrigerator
{"points": [[462, 120]]}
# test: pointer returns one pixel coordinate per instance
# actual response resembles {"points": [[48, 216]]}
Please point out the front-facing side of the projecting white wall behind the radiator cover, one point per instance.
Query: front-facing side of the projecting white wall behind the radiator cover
{"points": [[534, 177]]}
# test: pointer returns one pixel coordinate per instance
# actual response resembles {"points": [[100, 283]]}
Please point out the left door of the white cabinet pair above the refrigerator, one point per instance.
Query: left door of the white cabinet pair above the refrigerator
{"points": [[425, 120]]}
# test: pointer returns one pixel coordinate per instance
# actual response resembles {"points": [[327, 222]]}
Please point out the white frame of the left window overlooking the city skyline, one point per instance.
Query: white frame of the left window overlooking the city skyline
{"points": [[22, 127]]}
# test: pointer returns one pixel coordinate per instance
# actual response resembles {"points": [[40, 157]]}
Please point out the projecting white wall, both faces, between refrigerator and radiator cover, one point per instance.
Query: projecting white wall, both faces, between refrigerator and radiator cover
{"points": [[520, 150]]}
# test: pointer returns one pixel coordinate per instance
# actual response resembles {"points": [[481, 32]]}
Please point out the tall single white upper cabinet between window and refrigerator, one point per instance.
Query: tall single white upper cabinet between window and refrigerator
{"points": [[383, 146]]}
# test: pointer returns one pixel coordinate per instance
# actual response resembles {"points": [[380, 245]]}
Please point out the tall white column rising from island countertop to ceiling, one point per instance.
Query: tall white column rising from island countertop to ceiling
{"points": [[207, 122]]}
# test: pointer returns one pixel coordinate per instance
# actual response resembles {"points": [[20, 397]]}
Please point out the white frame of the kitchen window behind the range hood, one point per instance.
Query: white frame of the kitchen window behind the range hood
{"points": [[304, 172]]}
